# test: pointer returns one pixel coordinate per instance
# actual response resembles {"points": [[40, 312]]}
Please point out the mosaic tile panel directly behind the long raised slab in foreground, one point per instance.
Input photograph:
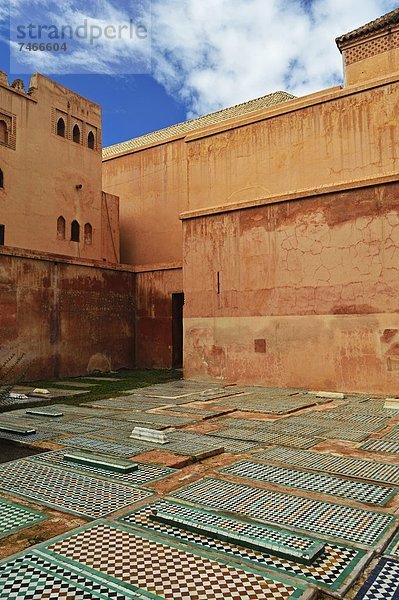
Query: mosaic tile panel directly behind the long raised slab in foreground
{"points": [[354, 525]]}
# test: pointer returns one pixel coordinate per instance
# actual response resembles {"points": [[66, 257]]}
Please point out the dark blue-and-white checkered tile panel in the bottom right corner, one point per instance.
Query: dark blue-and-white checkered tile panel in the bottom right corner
{"points": [[383, 583]]}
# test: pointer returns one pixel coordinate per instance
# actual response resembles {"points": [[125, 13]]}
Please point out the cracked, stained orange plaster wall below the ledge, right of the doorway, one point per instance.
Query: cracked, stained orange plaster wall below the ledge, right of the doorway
{"points": [[309, 293]]}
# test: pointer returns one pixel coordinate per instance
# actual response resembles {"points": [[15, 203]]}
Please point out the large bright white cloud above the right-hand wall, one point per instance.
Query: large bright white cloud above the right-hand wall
{"points": [[215, 53]]}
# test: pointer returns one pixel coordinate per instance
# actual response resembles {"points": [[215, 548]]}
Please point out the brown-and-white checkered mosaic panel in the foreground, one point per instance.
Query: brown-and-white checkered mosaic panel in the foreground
{"points": [[161, 568]]}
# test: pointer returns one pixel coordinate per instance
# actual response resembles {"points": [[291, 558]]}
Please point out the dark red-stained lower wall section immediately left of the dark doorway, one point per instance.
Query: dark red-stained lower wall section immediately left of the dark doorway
{"points": [[154, 316]]}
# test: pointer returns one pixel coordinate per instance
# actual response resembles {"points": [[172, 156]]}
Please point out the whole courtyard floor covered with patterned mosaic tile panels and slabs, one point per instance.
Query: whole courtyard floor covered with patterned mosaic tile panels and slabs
{"points": [[259, 493]]}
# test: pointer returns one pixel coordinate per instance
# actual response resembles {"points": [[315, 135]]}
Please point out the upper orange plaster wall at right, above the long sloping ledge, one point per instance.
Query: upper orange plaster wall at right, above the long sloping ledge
{"points": [[327, 141]]}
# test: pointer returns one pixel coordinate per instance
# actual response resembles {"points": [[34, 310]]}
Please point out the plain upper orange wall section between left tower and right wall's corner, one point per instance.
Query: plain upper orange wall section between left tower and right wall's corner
{"points": [[152, 186]]}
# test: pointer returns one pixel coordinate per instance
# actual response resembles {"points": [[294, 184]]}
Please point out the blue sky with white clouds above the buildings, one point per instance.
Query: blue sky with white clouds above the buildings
{"points": [[198, 55]]}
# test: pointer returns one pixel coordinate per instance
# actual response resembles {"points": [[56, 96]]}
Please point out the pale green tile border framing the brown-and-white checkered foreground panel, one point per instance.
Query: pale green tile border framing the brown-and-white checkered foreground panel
{"points": [[157, 539]]}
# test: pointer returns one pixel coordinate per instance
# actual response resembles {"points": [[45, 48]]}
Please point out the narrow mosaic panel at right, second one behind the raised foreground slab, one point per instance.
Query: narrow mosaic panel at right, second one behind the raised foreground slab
{"points": [[315, 482]]}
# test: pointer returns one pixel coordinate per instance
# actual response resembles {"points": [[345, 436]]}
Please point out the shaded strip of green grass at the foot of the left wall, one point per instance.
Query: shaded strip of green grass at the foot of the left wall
{"points": [[124, 380]]}
